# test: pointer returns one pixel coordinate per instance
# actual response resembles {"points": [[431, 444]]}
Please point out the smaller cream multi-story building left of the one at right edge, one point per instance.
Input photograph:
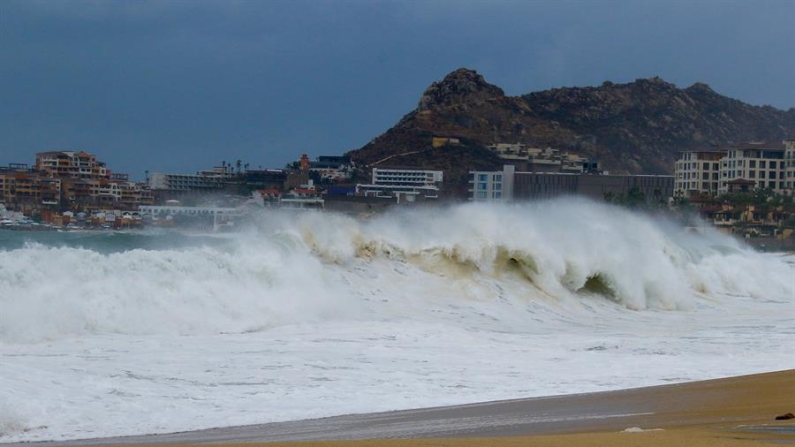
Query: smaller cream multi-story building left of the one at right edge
{"points": [[698, 172]]}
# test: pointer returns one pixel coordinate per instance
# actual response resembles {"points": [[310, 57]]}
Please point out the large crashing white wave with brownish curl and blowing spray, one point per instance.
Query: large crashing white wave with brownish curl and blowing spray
{"points": [[310, 267]]}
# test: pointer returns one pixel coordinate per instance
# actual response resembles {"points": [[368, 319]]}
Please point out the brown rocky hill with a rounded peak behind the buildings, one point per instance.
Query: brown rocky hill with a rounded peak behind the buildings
{"points": [[637, 127]]}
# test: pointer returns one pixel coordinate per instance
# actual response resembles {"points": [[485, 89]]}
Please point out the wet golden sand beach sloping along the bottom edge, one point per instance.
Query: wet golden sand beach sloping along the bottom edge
{"points": [[735, 411]]}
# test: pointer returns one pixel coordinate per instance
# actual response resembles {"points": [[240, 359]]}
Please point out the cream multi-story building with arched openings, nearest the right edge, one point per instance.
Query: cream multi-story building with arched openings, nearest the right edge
{"points": [[759, 162]]}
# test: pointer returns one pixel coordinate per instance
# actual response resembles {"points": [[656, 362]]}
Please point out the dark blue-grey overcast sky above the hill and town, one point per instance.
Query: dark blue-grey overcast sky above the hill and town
{"points": [[178, 86]]}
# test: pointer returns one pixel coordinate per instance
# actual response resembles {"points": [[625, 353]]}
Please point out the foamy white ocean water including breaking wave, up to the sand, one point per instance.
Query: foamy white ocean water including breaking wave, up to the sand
{"points": [[311, 314]]}
